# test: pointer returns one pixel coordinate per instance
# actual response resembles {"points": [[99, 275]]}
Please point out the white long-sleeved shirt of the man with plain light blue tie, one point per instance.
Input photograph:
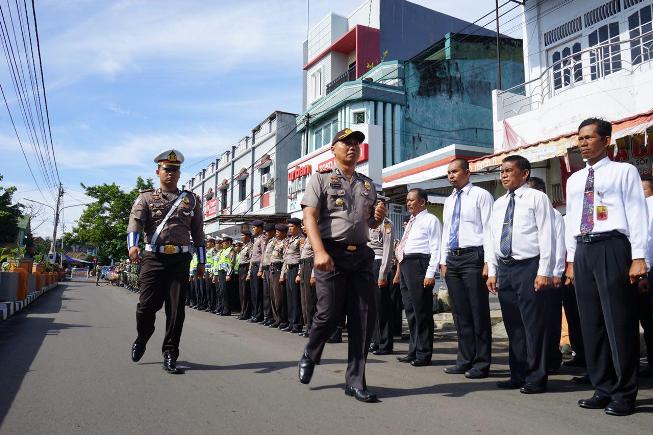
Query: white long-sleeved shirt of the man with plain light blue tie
{"points": [[475, 213]]}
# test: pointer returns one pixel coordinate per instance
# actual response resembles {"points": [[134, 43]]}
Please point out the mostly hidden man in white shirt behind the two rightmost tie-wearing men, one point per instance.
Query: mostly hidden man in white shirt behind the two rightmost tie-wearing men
{"points": [[554, 293]]}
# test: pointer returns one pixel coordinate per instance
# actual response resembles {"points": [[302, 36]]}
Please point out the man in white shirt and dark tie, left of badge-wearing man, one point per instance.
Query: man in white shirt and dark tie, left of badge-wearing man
{"points": [[521, 268]]}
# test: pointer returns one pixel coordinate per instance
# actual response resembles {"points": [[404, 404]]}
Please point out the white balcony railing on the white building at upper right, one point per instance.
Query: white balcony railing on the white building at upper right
{"points": [[577, 69]]}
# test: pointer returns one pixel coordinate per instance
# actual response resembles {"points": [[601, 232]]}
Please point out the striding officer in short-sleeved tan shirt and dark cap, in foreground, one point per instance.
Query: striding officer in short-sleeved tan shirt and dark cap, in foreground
{"points": [[339, 209]]}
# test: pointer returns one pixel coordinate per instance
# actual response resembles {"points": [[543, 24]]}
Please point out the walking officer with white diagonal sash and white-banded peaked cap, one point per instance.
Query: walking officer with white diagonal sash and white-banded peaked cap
{"points": [[168, 217]]}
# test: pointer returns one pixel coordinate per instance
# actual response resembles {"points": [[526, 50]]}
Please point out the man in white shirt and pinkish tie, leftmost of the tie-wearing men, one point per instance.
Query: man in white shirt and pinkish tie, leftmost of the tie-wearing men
{"points": [[418, 254]]}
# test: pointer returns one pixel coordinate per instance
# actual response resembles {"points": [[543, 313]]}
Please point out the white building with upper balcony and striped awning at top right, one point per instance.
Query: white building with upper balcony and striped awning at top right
{"points": [[583, 58]]}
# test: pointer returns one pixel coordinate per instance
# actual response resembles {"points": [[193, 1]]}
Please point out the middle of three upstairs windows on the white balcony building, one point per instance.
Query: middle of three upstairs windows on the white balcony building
{"points": [[606, 59]]}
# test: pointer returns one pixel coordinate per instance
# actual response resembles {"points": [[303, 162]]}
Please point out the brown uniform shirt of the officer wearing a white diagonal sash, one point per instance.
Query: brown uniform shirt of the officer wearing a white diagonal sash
{"points": [[151, 207]]}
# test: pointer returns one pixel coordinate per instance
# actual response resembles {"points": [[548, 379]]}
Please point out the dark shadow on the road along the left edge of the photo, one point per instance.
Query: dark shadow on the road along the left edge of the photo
{"points": [[21, 338]]}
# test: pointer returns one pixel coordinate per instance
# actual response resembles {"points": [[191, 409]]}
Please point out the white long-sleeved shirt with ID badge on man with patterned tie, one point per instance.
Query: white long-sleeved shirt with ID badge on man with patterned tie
{"points": [[618, 187]]}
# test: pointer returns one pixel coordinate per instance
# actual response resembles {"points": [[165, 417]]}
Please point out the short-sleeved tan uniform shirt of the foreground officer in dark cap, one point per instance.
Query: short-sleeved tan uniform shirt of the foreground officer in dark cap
{"points": [[345, 209]]}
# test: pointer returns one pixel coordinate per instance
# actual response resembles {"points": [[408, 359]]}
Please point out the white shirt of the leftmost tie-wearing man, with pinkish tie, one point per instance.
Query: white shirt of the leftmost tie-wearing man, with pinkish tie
{"points": [[424, 238]]}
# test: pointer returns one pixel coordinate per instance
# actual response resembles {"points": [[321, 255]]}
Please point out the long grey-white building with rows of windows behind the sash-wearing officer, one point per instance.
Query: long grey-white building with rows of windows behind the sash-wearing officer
{"points": [[250, 178]]}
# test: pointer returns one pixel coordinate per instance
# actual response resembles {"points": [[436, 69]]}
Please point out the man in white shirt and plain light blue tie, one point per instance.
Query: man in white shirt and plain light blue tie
{"points": [[466, 217]]}
